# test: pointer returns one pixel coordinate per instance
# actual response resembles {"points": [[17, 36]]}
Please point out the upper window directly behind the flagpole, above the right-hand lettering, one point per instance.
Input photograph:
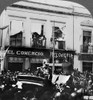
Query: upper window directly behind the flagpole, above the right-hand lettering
{"points": [[58, 37]]}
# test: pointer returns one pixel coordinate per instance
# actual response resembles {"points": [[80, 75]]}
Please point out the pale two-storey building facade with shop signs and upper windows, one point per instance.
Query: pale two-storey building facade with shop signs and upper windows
{"points": [[37, 25]]}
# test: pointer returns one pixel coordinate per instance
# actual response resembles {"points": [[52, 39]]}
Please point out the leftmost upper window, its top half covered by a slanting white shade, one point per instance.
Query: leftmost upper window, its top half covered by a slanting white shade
{"points": [[16, 32]]}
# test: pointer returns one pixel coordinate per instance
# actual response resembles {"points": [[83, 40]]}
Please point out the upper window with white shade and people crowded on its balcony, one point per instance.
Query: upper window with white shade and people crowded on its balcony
{"points": [[38, 34]]}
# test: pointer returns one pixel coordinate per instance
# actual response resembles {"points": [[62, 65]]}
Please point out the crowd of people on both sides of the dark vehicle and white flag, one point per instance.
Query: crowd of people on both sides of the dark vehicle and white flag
{"points": [[76, 81]]}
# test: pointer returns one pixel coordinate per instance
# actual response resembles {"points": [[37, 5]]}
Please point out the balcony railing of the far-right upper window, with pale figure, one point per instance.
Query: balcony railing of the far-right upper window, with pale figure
{"points": [[86, 49]]}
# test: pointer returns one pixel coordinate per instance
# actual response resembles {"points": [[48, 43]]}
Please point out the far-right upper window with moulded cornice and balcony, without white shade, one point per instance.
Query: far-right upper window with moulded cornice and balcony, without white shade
{"points": [[87, 46]]}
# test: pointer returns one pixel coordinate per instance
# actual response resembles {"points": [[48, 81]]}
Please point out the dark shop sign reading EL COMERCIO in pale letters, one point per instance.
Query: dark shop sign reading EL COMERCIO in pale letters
{"points": [[29, 53]]}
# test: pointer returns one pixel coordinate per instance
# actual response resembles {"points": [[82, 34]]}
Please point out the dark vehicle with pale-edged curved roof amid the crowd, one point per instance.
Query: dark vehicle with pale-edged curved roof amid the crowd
{"points": [[34, 88]]}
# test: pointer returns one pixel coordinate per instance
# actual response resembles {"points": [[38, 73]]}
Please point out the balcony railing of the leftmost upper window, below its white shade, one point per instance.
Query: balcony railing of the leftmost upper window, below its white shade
{"points": [[17, 41]]}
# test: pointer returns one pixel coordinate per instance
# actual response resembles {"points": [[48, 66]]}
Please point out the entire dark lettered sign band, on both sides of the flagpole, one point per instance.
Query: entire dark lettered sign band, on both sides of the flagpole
{"points": [[39, 53]]}
